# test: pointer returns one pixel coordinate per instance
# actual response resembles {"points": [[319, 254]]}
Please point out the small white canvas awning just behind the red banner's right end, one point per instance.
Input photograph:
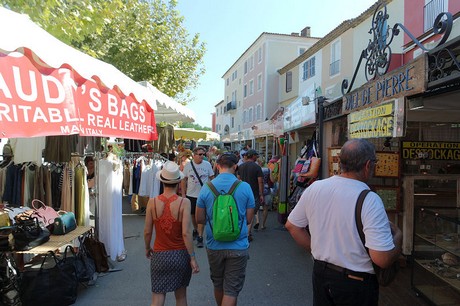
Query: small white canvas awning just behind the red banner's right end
{"points": [[168, 110]]}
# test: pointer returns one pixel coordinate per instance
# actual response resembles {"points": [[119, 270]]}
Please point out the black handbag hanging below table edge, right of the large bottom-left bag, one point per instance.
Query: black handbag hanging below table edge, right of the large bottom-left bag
{"points": [[84, 265]]}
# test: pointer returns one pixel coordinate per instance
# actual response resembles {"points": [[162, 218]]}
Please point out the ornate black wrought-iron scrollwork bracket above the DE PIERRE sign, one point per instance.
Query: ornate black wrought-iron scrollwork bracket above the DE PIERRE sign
{"points": [[378, 52]]}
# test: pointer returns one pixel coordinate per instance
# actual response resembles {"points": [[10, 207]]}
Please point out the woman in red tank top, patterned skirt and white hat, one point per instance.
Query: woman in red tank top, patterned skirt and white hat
{"points": [[172, 259]]}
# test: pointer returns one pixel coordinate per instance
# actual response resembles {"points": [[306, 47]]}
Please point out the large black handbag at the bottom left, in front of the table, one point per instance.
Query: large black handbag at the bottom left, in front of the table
{"points": [[53, 284]]}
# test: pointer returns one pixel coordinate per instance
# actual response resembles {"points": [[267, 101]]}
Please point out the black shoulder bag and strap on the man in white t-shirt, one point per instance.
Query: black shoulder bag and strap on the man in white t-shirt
{"points": [[384, 276]]}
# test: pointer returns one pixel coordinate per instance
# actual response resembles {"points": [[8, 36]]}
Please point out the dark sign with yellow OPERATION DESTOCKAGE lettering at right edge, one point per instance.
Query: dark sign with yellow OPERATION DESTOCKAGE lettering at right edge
{"points": [[431, 150]]}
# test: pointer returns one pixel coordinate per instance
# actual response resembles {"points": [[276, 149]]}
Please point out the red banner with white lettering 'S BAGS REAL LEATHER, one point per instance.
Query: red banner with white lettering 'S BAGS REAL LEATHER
{"points": [[37, 101]]}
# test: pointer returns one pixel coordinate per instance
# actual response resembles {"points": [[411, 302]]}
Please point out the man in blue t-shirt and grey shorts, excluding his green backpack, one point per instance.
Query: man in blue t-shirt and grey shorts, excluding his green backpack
{"points": [[227, 260]]}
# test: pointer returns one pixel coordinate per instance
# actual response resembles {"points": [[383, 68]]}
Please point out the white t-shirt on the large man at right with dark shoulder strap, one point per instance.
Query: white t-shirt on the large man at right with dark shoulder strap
{"points": [[328, 208]]}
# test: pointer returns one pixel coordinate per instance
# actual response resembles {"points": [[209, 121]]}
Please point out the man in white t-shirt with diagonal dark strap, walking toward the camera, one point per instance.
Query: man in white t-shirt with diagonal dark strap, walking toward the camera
{"points": [[197, 172]]}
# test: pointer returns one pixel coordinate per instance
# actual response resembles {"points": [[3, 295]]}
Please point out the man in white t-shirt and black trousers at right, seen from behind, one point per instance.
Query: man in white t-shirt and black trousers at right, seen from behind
{"points": [[343, 273]]}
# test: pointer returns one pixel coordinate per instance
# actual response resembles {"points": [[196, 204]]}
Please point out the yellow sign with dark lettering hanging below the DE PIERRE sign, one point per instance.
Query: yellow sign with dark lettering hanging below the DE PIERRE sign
{"points": [[378, 121]]}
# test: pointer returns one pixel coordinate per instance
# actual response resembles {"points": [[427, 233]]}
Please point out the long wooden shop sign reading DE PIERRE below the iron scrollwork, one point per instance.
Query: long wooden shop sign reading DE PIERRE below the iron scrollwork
{"points": [[404, 81]]}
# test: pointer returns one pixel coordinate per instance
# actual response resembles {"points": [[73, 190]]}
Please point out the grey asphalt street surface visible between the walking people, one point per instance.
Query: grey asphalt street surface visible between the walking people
{"points": [[278, 272]]}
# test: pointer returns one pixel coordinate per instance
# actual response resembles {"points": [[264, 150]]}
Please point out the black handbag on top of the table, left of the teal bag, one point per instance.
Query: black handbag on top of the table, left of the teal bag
{"points": [[29, 234]]}
